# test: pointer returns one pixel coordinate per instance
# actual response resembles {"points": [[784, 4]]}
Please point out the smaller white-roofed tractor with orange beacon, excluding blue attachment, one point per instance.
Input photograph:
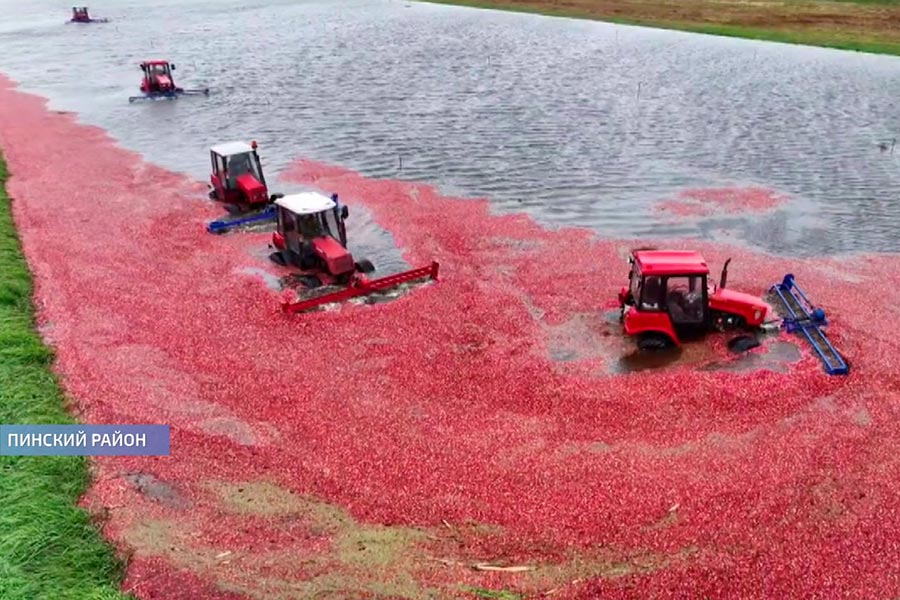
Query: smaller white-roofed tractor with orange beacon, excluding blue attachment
{"points": [[237, 175]]}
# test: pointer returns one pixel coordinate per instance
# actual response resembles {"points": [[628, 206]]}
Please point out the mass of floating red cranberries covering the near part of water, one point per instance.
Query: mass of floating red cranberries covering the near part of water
{"points": [[491, 431]]}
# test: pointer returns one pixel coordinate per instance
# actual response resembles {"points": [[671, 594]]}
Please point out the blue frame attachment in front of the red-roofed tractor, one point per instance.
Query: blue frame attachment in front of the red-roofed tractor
{"points": [[808, 320]]}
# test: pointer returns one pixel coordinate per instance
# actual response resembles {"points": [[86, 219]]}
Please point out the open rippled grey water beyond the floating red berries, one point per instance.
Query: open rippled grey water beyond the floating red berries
{"points": [[578, 123]]}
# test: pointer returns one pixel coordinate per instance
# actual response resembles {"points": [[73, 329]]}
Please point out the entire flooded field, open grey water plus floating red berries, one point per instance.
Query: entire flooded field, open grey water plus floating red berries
{"points": [[498, 417]]}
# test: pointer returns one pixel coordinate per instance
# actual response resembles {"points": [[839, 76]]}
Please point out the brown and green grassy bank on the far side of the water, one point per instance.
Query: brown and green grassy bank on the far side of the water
{"points": [[863, 25]]}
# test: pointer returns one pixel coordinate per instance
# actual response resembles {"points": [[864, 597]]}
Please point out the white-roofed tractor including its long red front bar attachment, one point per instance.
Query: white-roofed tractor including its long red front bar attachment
{"points": [[311, 235]]}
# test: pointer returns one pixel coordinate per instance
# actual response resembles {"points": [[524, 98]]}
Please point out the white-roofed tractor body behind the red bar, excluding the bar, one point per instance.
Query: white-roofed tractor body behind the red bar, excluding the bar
{"points": [[312, 236]]}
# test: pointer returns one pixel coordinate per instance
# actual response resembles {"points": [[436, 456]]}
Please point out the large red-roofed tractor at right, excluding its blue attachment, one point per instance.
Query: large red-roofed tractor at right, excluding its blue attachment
{"points": [[670, 299]]}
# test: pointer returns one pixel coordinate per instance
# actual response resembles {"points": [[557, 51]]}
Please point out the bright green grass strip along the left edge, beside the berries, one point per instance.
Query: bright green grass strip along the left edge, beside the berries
{"points": [[49, 548]]}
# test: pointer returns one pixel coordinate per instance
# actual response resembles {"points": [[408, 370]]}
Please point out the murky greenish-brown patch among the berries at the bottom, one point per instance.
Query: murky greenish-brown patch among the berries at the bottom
{"points": [[371, 559]]}
